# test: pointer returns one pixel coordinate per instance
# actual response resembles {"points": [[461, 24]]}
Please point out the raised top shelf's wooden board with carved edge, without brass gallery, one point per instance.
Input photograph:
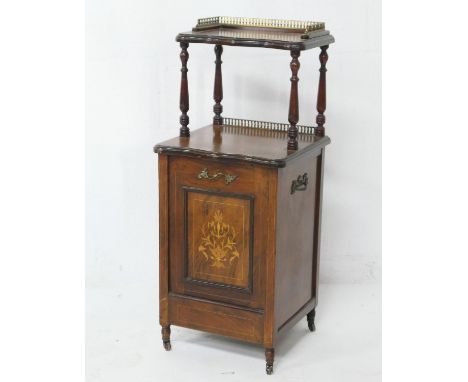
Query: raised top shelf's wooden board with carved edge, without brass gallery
{"points": [[252, 37]]}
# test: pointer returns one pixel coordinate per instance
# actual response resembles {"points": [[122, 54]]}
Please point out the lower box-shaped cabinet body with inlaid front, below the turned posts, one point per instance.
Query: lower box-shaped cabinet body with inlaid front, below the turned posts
{"points": [[239, 242]]}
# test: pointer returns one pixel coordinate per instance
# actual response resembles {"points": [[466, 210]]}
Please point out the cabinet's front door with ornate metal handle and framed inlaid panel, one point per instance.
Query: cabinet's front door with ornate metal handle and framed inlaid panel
{"points": [[218, 218]]}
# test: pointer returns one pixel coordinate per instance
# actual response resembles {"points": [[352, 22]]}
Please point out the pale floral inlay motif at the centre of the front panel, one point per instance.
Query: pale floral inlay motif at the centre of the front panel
{"points": [[218, 242]]}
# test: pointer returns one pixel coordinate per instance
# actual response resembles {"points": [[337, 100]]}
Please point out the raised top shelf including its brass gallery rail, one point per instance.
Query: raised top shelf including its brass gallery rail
{"points": [[262, 33]]}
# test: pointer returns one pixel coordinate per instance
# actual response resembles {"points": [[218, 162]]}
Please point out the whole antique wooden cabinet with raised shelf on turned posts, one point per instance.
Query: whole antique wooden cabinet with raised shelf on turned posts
{"points": [[240, 202]]}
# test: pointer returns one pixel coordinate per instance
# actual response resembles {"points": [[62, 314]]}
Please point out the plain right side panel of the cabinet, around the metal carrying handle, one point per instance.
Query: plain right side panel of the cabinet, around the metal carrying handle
{"points": [[294, 238]]}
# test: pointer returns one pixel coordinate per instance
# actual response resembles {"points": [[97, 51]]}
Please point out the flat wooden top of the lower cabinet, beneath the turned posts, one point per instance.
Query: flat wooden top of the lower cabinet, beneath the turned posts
{"points": [[259, 146]]}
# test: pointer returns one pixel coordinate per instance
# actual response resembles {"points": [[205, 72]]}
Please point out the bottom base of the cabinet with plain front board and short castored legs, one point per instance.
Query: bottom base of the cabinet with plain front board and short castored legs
{"points": [[223, 319]]}
